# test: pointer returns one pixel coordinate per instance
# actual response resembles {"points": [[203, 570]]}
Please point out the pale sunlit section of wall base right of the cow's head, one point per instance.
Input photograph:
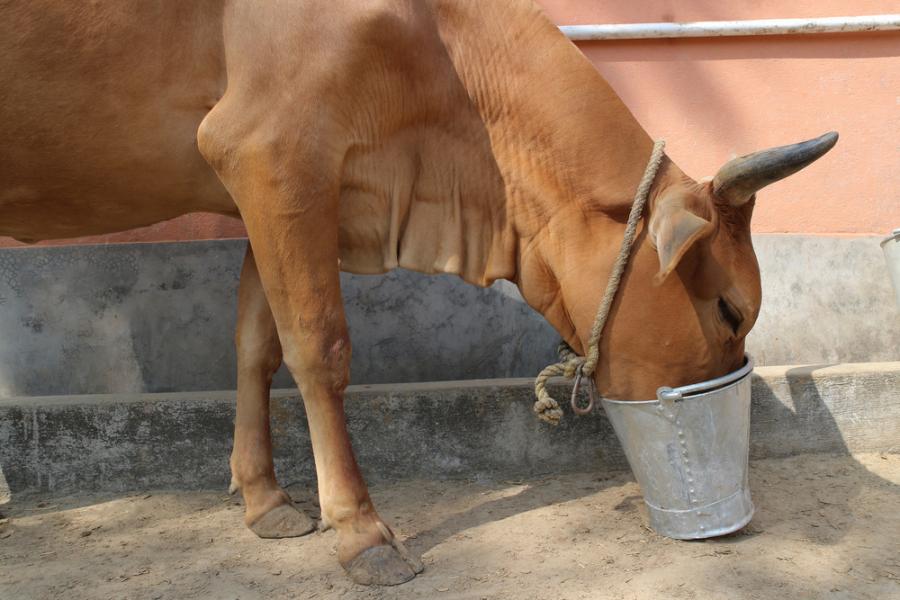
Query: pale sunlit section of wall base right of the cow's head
{"points": [[825, 300]]}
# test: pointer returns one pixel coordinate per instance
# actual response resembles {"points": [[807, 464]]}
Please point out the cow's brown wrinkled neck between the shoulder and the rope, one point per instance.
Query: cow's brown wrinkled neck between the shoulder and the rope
{"points": [[569, 152]]}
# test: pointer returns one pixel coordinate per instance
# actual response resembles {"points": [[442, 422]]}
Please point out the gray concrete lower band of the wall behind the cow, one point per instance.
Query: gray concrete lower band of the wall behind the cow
{"points": [[160, 317]]}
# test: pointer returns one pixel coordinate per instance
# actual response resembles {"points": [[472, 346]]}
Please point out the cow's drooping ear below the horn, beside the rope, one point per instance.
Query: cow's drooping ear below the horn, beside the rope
{"points": [[674, 228]]}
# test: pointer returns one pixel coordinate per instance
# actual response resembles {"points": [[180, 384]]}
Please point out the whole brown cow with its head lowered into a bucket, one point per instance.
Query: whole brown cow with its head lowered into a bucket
{"points": [[444, 136]]}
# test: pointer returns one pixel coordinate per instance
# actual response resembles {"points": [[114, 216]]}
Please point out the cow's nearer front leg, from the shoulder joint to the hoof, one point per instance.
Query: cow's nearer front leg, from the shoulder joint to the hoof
{"points": [[289, 204]]}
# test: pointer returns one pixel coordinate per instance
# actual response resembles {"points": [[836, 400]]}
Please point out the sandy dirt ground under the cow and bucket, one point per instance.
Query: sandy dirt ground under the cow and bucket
{"points": [[825, 527]]}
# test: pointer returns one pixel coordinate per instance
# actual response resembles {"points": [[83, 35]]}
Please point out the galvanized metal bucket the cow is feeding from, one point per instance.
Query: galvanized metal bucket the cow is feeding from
{"points": [[689, 451]]}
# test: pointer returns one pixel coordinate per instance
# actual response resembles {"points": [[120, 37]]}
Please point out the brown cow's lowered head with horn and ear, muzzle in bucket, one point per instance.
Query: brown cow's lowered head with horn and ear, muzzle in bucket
{"points": [[691, 292]]}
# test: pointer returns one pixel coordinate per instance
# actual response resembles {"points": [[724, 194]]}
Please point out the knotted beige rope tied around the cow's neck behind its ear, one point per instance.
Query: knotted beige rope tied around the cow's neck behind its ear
{"points": [[570, 364]]}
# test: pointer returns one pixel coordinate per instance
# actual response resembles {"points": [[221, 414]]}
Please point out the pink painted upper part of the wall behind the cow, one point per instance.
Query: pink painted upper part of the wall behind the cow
{"points": [[715, 98]]}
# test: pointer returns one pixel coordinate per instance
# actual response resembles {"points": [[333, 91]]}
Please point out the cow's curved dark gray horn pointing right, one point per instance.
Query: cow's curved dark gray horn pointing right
{"points": [[742, 177]]}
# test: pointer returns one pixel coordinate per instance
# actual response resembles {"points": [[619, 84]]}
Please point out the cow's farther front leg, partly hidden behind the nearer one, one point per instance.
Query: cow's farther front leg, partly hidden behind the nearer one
{"points": [[268, 511]]}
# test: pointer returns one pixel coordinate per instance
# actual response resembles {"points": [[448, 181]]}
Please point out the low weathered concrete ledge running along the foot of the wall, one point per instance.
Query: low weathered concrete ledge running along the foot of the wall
{"points": [[445, 430]]}
